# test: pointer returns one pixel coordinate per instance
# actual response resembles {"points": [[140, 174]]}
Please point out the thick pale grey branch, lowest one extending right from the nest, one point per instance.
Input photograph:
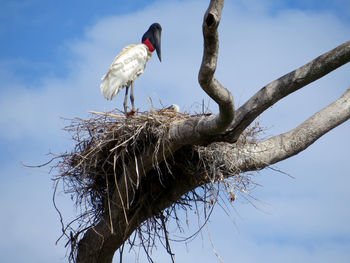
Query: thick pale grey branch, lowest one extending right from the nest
{"points": [[285, 145]]}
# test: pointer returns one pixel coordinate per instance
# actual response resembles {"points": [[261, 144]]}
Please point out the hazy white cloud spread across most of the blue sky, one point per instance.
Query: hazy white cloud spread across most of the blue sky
{"points": [[255, 49]]}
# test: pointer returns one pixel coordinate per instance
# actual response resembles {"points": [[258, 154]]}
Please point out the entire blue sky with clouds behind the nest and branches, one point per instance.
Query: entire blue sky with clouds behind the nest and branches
{"points": [[53, 54]]}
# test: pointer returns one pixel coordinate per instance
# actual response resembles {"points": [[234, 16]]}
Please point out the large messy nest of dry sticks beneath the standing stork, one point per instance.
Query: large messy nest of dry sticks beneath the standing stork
{"points": [[106, 143]]}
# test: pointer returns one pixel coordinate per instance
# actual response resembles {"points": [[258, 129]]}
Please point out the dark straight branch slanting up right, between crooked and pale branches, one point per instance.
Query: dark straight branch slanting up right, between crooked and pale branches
{"points": [[284, 86]]}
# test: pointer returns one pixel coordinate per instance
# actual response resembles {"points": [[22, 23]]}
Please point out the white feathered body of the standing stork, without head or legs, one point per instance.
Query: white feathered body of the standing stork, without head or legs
{"points": [[126, 67]]}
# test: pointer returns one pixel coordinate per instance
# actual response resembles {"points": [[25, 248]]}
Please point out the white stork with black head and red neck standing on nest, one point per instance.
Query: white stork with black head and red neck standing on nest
{"points": [[130, 64]]}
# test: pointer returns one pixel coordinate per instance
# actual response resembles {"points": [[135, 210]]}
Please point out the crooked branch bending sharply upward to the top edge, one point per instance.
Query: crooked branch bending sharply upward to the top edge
{"points": [[198, 129]]}
